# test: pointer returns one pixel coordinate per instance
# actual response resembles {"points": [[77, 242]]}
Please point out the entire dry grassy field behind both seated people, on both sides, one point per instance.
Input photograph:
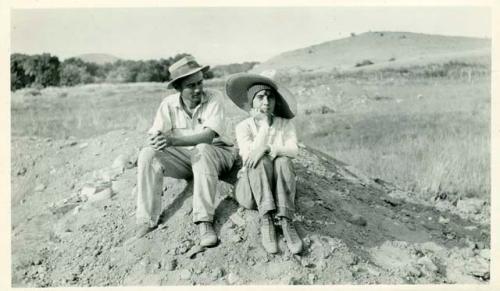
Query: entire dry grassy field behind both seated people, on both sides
{"points": [[426, 134]]}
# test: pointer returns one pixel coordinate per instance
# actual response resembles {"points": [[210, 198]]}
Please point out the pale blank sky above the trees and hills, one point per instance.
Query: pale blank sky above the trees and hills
{"points": [[223, 35]]}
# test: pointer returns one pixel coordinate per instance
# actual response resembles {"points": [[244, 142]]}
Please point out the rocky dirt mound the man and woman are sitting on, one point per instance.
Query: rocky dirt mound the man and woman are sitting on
{"points": [[73, 208]]}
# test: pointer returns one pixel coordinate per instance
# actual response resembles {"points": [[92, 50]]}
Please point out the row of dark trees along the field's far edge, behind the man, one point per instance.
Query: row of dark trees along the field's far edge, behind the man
{"points": [[45, 70]]}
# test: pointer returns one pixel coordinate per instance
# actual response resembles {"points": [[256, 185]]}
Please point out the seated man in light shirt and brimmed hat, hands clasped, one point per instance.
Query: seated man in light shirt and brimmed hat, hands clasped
{"points": [[187, 140]]}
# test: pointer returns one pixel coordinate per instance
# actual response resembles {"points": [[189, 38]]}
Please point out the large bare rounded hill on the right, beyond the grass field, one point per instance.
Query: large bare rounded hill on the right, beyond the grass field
{"points": [[383, 49]]}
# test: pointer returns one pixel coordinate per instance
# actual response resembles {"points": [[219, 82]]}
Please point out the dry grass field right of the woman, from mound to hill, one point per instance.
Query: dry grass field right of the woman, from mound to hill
{"points": [[428, 135]]}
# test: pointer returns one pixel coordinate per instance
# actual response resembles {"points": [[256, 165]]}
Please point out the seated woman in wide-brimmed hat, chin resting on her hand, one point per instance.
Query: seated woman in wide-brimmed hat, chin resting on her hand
{"points": [[267, 142]]}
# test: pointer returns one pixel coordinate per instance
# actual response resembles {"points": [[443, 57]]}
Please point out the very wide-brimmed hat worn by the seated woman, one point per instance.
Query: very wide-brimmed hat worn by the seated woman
{"points": [[237, 86]]}
